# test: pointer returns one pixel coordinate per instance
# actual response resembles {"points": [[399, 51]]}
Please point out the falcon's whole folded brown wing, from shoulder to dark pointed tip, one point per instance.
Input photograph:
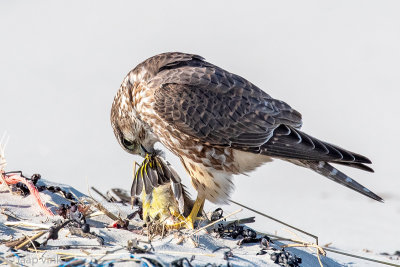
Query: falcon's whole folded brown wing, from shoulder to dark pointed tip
{"points": [[219, 108]]}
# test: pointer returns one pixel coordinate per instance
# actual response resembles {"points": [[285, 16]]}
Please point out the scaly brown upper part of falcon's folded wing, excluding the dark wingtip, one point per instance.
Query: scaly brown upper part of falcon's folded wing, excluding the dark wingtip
{"points": [[217, 107]]}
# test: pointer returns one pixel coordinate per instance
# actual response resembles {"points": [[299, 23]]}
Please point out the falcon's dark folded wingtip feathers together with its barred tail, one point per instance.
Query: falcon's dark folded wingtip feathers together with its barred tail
{"points": [[302, 149]]}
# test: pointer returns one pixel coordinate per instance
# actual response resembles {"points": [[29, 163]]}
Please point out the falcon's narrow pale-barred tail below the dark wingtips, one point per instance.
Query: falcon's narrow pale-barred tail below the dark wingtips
{"points": [[327, 170]]}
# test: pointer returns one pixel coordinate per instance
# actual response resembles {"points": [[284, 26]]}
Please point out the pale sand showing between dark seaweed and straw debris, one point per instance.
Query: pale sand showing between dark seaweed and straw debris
{"points": [[166, 249]]}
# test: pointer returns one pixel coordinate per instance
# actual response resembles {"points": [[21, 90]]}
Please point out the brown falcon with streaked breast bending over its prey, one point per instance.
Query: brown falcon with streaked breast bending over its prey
{"points": [[218, 124]]}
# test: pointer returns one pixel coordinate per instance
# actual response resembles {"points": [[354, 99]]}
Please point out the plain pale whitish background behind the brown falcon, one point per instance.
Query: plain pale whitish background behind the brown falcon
{"points": [[337, 62]]}
